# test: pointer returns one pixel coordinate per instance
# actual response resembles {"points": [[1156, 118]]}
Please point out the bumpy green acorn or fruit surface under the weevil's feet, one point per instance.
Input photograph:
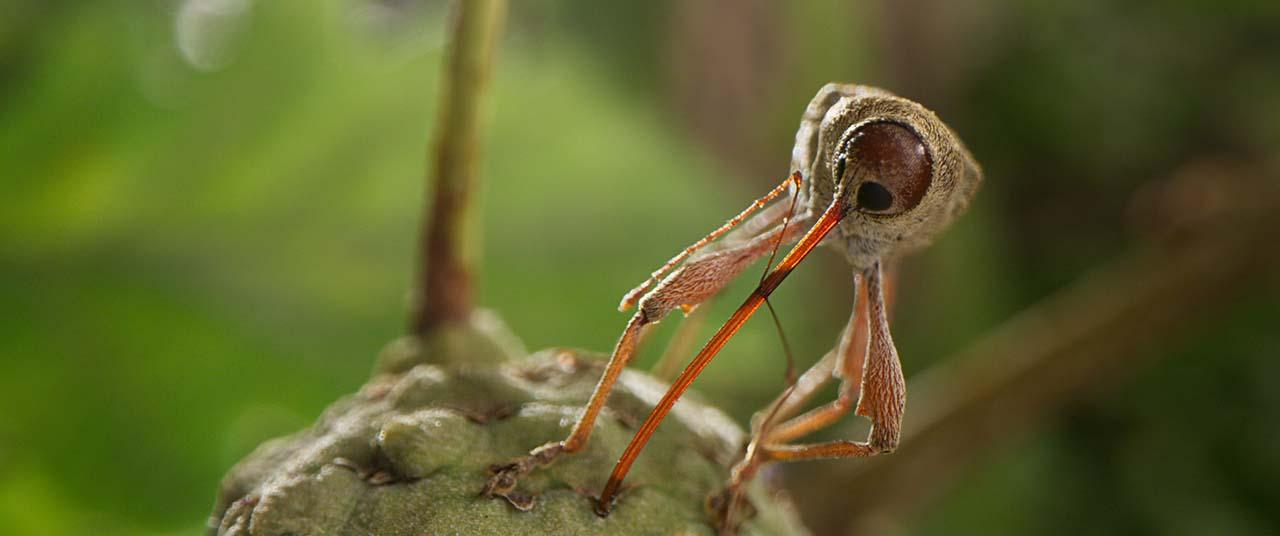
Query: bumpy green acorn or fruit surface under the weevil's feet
{"points": [[410, 452]]}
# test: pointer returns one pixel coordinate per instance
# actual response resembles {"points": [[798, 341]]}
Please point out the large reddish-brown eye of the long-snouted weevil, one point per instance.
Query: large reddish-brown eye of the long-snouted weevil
{"points": [[890, 167]]}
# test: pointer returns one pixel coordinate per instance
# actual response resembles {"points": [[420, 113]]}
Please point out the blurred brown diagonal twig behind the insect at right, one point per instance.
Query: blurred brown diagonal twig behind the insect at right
{"points": [[1048, 356]]}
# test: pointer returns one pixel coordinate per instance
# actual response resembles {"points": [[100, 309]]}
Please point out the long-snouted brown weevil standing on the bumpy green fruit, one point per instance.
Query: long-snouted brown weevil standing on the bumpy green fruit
{"points": [[874, 176]]}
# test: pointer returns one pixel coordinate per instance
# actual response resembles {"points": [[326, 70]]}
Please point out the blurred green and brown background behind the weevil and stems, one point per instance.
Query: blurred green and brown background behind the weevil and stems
{"points": [[209, 216]]}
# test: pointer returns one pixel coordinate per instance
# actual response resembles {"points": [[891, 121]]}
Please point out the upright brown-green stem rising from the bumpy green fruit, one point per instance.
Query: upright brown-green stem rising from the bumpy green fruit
{"points": [[450, 248]]}
